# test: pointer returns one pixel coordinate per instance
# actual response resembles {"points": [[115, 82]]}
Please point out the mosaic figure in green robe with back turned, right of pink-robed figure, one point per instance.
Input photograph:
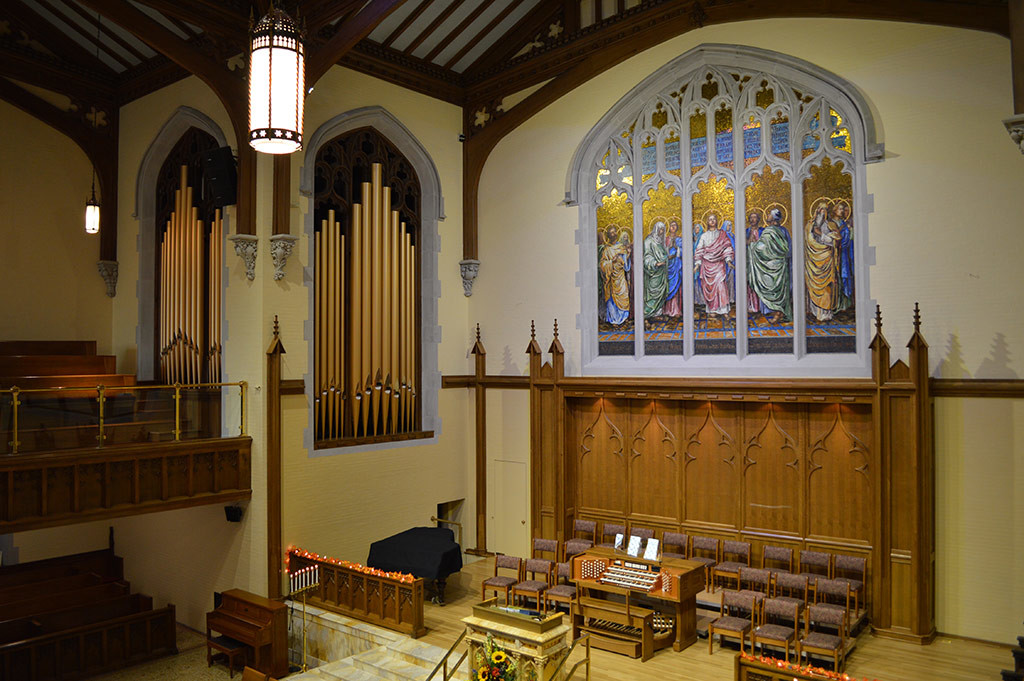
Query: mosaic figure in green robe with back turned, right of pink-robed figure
{"points": [[770, 271]]}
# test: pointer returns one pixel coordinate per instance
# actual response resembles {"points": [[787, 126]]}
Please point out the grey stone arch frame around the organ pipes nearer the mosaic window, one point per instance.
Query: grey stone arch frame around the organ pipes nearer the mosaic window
{"points": [[433, 208]]}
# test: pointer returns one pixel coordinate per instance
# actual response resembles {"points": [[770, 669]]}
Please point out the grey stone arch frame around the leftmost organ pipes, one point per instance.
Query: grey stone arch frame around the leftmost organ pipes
{"points": [[146, 212]]}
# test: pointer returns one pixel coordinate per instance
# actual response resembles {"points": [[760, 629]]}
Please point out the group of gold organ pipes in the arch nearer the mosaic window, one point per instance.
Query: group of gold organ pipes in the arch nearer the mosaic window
{"points": [[365, 327]]}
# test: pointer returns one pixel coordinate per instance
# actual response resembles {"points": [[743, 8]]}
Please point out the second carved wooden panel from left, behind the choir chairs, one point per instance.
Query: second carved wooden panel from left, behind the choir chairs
{"points": [[654, 464]]}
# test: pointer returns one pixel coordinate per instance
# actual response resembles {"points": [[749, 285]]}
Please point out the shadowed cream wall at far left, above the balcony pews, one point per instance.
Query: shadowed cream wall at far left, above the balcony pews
{"points": [[45, 183]]}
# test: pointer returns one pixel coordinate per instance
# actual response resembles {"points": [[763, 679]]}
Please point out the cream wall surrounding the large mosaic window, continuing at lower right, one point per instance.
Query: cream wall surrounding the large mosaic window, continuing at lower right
{"points": [[945, 230]]}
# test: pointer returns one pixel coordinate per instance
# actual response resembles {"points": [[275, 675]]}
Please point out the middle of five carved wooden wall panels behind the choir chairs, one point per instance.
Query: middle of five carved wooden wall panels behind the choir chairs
{"points": [[712, 472]]}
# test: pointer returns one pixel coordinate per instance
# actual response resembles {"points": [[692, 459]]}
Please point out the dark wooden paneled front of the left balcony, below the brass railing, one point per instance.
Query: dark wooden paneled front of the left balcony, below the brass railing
{"points": [[78, 486]]}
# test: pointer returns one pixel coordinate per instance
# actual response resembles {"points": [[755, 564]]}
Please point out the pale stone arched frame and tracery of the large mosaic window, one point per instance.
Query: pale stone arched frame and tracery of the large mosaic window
{"points": [[639, 105]]}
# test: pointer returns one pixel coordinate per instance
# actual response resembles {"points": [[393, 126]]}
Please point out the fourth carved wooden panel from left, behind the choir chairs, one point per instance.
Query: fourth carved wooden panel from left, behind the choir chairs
{"points": [[774, 470]]}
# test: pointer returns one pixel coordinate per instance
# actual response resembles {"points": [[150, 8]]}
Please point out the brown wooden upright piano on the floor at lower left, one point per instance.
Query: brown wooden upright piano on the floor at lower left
{"points": [[260, 623]]}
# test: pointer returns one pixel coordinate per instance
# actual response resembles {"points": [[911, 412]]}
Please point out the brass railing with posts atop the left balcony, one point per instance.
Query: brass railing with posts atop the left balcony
{"points": [[102, 394]]}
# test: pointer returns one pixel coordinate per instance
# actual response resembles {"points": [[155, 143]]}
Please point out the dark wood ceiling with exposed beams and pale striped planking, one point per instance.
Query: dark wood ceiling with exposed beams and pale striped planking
{"points": [[453, 50]]}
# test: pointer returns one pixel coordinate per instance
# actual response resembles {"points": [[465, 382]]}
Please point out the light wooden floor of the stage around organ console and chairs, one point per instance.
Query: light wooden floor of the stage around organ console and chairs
{"points": [[874, 658]]}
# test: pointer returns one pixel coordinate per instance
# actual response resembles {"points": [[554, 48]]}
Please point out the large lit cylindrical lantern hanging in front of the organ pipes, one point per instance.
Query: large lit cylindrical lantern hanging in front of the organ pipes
{"points": [[277, 84]]}
